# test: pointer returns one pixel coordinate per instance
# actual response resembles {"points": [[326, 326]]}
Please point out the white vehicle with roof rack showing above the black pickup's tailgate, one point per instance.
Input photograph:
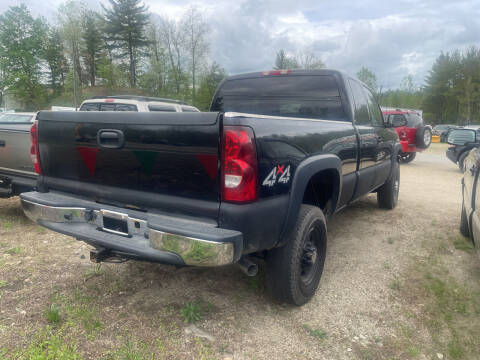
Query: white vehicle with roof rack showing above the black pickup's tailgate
{"points": [[135, 103]]}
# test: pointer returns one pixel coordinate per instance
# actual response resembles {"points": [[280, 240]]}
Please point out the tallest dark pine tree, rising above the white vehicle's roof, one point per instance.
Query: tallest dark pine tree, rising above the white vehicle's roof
{"points": [[125, 29]]}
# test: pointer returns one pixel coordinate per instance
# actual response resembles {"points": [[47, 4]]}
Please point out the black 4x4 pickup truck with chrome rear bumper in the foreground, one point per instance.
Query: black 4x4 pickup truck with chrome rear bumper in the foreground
{"points": [[258, 176]]}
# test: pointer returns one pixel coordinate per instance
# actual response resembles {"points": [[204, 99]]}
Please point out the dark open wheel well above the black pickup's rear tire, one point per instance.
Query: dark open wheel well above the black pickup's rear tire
{"points": [[321, 189]]}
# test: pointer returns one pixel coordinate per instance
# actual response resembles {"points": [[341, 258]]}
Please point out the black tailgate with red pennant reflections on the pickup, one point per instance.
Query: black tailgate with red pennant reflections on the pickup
{"points": [[139, 160]]}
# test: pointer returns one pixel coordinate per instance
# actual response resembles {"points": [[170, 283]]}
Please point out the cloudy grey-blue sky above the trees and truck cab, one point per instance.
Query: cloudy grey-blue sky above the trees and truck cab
{"points": [[392, 38]]}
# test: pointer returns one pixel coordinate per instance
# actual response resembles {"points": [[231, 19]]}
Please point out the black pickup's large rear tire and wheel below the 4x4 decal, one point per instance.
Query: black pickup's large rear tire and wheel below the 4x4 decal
{"points": [[294, 270]]}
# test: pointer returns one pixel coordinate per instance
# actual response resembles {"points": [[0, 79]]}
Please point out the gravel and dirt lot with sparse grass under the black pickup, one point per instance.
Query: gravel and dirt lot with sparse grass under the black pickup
{"points": [[399, 284]]}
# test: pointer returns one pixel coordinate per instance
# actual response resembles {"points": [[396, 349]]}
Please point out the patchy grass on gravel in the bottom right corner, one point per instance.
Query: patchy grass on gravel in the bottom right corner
{"points": [[450, 310]]}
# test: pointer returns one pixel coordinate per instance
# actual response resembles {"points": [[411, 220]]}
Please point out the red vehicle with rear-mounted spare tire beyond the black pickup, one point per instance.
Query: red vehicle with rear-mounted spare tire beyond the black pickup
{"points": [[414, 136]]}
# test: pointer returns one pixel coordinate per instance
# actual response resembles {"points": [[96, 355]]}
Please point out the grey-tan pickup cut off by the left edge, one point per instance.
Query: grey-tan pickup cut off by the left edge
{"points": [[17, 172]]}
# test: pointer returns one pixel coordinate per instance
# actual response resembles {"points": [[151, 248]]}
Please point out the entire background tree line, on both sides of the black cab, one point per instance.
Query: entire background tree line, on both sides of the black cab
{"points": [[124, 48]]}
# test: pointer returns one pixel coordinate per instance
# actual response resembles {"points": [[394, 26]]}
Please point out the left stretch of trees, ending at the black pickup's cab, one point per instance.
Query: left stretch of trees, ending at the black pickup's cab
{"points": [[121, 49]]}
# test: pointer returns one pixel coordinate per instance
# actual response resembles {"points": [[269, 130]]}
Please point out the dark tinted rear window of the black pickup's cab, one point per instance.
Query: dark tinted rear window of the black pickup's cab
{"points": [[302, 96]]}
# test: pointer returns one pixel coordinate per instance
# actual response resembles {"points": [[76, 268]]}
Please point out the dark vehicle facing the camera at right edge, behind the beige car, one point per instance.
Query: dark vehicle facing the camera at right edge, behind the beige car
{"points": [[459, 148]]}
